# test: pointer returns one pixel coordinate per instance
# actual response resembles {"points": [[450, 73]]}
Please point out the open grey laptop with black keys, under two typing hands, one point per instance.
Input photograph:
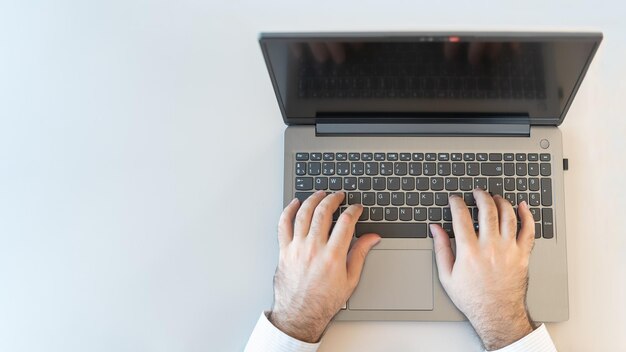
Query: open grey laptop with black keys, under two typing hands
{"points": [[399, 121]]}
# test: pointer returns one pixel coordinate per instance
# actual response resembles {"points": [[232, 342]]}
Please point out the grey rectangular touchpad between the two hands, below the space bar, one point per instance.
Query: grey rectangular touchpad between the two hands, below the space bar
{"points": [[395, 279]]}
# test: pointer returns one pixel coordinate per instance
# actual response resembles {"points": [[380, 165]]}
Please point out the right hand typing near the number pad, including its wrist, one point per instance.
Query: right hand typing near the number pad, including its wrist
{"points": [[488, 279]]}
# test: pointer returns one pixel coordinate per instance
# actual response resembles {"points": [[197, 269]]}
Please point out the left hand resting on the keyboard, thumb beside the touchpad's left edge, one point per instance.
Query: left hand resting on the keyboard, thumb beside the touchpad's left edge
{"points": [[316, 274]]}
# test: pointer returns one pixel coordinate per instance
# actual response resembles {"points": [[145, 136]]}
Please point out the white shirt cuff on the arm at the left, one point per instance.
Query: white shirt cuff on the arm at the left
{"points": [[268, 338]]}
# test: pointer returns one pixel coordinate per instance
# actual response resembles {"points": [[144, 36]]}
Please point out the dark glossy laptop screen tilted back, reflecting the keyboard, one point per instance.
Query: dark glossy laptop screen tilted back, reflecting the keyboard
{"points": [[383, 76]]}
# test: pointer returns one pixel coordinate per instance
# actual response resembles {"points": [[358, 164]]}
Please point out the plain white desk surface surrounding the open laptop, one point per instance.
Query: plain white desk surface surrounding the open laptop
{"points": [[141, 172]]}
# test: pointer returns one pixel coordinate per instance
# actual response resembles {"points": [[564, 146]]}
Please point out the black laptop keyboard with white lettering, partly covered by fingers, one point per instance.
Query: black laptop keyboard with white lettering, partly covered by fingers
{"points": [[402, 193]]}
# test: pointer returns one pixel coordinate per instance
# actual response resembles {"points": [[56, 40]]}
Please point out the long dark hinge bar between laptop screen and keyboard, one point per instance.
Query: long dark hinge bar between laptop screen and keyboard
{"points": [[422, 129]]}
